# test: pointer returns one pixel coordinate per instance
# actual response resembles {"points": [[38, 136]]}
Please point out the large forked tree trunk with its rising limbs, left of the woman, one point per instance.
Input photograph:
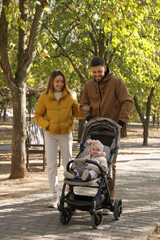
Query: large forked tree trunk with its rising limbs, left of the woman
{"points": [[25, 55]]}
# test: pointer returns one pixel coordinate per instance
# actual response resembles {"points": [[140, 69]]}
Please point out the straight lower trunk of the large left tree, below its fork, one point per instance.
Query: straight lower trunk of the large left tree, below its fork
{"points": [[18, 167]]}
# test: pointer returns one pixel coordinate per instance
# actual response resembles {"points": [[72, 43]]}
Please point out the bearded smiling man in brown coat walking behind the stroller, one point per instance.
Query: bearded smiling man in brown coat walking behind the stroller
{"points": [[107, 96]]}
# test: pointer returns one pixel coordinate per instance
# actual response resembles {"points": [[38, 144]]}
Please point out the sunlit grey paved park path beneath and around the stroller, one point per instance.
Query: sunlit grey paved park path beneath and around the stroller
{"points": [[138, 181]]}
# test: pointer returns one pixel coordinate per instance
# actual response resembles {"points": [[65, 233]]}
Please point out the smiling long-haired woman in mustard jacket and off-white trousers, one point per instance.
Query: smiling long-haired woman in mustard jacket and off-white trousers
{"points": [[55, 113]]}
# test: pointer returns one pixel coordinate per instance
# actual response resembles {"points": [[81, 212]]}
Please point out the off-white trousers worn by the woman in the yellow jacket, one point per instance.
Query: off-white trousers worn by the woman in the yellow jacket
{"points": [[51, 144]]}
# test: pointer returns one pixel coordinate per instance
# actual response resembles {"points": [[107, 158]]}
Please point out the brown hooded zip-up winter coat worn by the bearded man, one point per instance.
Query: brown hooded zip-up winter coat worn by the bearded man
{"points": [[107, 98]]}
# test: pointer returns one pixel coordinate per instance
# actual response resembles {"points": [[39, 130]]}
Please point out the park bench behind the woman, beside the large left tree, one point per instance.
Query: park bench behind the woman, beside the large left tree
{"points": [[35, 143]]}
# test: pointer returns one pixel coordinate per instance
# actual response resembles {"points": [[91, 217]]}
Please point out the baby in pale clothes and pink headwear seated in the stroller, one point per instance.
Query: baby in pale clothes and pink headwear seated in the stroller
{"points": [[91, 171]]}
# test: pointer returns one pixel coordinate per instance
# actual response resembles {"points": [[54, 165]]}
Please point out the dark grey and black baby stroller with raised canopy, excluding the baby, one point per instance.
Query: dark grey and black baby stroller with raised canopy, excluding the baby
{"points": [[107, 131]]}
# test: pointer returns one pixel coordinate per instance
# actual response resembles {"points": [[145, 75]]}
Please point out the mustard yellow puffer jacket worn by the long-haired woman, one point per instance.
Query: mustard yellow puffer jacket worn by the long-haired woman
{"points": [[57, 116]]}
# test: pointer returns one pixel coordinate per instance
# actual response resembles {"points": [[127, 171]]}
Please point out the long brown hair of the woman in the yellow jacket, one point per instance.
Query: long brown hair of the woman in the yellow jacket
{"points": [[54, 74]]}
